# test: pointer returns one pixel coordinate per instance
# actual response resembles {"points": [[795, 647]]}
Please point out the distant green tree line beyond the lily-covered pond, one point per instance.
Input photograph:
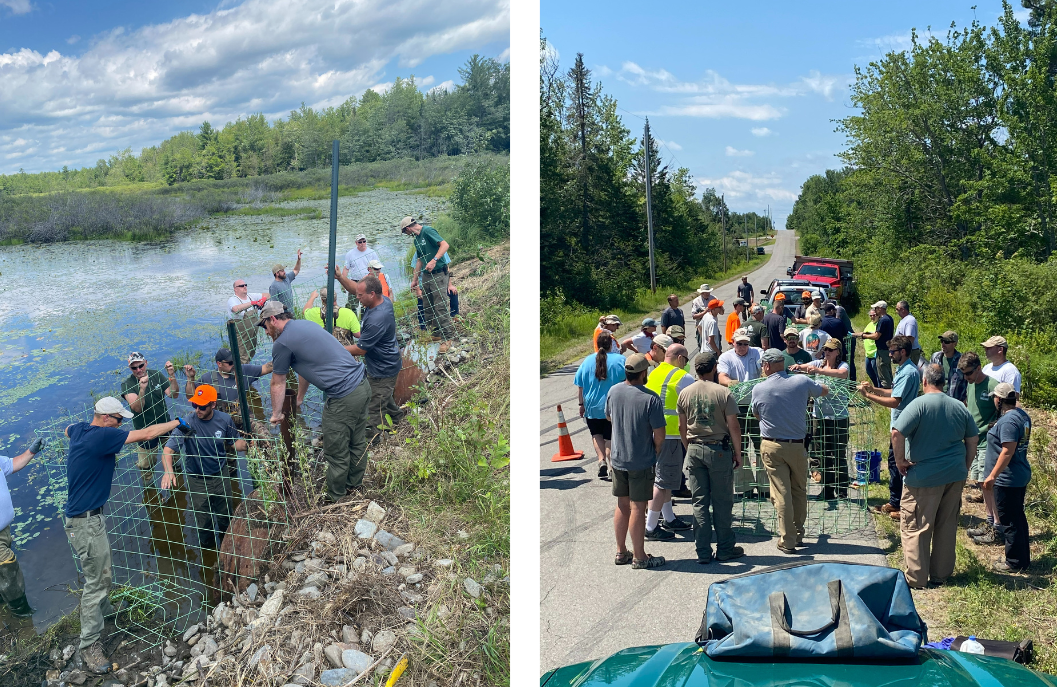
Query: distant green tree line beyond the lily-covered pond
{"points": [[402, 123]]}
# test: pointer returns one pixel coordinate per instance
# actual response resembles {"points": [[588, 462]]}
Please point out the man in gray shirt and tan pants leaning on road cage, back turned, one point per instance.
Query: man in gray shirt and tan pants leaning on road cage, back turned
{"points": [[781, 403]]}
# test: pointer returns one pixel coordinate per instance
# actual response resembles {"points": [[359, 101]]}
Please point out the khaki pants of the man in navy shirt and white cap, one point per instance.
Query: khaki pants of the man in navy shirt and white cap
{"points": [[88, 536]]}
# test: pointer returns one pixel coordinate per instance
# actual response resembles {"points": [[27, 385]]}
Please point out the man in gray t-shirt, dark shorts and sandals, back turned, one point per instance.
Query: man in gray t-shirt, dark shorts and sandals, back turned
{"points": [[639, 434]]}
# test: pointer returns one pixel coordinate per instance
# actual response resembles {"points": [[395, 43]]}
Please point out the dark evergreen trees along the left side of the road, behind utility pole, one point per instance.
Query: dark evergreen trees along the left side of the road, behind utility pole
{"points": [[594, 226]]}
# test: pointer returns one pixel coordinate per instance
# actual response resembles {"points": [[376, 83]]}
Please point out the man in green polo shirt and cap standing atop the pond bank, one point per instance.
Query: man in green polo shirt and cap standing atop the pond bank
{"points": [[431, 264]]}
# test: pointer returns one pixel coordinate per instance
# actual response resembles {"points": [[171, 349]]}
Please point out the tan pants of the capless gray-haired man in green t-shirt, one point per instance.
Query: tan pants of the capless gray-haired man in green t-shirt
{"points": [[929, 529]]}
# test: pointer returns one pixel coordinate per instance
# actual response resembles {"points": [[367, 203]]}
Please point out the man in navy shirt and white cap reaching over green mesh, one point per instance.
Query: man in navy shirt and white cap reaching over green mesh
{"points": [[90, 472]]}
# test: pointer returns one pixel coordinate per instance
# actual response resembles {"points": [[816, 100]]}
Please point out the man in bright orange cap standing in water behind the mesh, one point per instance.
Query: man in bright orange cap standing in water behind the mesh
{"points": [[205, 445]]}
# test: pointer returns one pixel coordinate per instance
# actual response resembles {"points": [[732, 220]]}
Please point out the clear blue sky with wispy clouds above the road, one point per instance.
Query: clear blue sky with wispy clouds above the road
{"points": [[745, 95]]}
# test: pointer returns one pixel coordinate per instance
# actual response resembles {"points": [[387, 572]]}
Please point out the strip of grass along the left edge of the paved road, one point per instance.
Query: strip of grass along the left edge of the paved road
{"points": [[566, 329]]}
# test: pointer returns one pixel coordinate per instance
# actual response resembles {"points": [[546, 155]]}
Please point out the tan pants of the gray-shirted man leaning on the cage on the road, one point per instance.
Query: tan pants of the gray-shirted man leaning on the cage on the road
{"points": [[787, 467]]}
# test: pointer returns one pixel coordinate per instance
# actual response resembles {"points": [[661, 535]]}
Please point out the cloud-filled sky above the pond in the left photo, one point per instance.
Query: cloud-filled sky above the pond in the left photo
{"points": [[83, 80]]}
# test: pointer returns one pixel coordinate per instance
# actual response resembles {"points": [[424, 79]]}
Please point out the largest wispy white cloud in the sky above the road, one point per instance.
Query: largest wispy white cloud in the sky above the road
{"points": [[716, 97]]}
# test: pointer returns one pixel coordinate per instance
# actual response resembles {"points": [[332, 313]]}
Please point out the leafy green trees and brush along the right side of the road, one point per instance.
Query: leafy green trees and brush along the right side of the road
{"points": [[952, 171]]}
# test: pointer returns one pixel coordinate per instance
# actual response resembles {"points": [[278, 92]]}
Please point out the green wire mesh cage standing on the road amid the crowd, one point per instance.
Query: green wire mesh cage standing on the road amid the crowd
{"points": [[841, 425]]}
